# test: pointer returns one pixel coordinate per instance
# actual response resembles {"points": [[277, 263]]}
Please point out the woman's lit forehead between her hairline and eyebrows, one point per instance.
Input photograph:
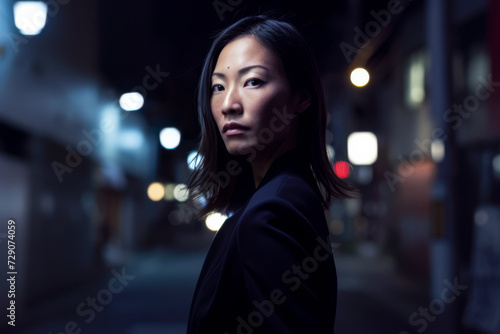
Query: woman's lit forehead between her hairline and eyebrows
{"points": [[245, 51]]}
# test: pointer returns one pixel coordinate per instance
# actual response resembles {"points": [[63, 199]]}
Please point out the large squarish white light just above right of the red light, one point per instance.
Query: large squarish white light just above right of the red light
{"points": [[362, 148]]}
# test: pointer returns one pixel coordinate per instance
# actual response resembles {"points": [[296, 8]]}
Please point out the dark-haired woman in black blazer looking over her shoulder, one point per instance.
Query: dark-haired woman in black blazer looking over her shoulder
{"points": [[270, 267]]}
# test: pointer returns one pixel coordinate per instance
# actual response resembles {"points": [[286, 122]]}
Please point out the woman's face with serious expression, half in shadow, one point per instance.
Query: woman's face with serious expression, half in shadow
{"points": [[251, 99]]}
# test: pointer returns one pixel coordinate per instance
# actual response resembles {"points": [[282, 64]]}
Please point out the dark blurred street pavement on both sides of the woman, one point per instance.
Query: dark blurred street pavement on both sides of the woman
{"points": [[149, 292]]}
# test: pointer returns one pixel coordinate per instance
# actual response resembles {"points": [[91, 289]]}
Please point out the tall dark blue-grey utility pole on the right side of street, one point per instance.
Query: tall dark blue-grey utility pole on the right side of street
{"points": [[443, 262]]}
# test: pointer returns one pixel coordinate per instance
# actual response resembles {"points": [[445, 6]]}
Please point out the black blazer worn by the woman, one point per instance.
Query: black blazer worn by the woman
{"points": [[270, 267]]}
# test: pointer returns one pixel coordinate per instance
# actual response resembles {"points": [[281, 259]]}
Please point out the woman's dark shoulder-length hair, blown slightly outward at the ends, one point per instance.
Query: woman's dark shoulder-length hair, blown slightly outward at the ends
{"points": [[224, 180]]}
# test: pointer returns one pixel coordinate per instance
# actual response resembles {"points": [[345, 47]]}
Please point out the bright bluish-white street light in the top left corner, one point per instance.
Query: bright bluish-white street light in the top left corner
{"points": [[30, 16]]}
